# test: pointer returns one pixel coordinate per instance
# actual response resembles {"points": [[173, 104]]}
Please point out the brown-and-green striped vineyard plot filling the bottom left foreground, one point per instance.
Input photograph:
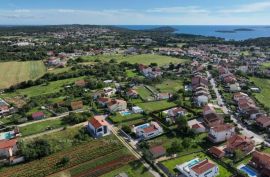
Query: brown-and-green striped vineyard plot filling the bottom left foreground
{"points": [[96, 153]]}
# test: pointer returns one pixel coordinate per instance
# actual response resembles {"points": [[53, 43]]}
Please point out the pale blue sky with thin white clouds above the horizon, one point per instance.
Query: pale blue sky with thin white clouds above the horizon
{"points": [[135, 12]]}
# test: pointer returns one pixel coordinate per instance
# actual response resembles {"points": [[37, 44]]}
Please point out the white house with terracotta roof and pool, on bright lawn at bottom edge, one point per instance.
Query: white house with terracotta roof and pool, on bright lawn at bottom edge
{"points": [[197, 168]]}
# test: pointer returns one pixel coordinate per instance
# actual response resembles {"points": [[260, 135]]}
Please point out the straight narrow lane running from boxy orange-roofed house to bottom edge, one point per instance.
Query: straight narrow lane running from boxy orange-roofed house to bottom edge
{"points": [[133, 150]]}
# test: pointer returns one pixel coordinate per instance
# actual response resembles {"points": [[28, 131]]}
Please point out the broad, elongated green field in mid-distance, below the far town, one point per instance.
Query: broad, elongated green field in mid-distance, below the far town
{"points": [[141, 59]]}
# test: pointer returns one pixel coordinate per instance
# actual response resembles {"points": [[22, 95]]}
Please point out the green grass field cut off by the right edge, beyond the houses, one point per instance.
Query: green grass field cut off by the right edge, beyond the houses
{"points": [[264, 96]]}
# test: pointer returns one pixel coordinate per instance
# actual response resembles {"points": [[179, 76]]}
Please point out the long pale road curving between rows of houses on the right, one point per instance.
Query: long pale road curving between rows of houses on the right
{"points": [[257, 138]]}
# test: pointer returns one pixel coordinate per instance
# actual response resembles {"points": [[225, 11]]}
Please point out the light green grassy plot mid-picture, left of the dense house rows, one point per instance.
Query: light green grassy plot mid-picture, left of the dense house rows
{"points": [[170, 86]]}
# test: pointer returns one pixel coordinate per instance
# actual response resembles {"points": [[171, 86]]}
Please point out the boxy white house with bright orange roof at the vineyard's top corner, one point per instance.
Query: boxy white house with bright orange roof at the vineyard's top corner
{"points": [[98, 126]]}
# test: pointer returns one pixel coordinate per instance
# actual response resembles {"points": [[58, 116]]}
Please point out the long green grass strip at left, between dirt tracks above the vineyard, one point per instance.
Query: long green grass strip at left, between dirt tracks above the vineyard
{"points": [[39, 127]]}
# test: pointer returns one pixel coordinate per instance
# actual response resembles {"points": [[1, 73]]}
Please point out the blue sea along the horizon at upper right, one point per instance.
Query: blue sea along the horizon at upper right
{"points": [[258, 31]]}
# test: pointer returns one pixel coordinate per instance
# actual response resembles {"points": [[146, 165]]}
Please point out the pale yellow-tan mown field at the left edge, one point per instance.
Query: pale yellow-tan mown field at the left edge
{"points": [[14, 72]]}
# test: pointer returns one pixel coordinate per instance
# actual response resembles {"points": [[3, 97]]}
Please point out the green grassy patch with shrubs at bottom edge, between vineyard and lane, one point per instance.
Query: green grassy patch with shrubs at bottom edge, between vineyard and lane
{"points": [[132, 170]]}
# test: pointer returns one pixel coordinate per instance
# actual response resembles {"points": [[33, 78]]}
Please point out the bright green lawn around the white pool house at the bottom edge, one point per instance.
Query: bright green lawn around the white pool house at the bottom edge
{"points": [[170, 164]]}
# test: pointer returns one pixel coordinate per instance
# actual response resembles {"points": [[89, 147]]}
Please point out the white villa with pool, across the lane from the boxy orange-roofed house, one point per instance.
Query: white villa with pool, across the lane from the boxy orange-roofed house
{"points": [[148, 130]]}
